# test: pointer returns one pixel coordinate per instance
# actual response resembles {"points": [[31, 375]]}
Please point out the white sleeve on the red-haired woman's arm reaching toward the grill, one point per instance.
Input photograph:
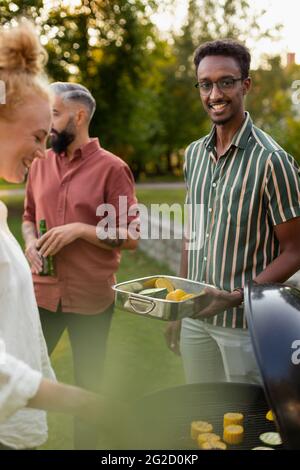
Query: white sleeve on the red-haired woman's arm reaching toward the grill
{"points": [[18, 383]]}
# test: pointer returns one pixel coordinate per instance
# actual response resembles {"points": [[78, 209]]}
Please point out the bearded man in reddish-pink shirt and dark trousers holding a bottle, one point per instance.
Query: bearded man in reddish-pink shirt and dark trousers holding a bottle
{"points": [[66, 189]]}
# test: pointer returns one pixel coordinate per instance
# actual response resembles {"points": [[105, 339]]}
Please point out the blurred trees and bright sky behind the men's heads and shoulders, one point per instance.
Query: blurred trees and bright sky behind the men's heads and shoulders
{"points": [[136, 58]]}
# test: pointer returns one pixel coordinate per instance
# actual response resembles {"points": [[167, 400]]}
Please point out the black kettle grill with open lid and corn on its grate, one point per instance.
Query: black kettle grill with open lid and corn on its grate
{"points": [[273, 315]]}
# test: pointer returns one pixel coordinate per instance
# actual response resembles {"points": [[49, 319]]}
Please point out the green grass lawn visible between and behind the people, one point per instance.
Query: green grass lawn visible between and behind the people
{"points": [[138, 361]]}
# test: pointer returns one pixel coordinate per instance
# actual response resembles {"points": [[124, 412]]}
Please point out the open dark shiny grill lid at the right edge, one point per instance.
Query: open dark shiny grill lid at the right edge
{"points": [[273, 315]]}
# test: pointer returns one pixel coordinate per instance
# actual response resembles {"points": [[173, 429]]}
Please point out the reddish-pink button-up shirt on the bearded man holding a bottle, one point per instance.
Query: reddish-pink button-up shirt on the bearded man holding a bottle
{"points": [[62, 192]]}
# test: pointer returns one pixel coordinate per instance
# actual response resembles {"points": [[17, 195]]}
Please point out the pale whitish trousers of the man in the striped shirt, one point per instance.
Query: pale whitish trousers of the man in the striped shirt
{"points": [[214, 354]]}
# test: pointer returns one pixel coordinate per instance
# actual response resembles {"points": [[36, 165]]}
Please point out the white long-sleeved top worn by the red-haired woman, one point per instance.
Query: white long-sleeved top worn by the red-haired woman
{"points": [[23, 352]]}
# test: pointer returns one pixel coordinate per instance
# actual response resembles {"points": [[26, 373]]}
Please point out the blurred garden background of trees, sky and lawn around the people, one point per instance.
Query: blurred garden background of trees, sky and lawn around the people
{"points": [[136, 57]]}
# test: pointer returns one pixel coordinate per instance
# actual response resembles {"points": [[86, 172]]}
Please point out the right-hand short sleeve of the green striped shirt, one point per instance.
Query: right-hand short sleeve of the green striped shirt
{"points": [[282, 190]]}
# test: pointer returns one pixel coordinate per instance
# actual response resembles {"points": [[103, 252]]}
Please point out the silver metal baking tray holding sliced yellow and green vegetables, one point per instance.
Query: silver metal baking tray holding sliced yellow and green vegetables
{"points": [[161, 309]]}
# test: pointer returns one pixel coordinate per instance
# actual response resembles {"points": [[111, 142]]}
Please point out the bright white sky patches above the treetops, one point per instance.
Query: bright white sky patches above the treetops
{"points": [[277, 11]]}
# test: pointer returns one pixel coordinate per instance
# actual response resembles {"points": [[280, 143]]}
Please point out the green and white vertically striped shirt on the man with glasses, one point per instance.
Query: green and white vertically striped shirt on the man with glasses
{"points": [[235, 202]]}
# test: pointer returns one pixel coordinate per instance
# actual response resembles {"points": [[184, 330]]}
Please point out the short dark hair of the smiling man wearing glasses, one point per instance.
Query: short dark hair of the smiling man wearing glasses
{"points": [[227, 48]]}
